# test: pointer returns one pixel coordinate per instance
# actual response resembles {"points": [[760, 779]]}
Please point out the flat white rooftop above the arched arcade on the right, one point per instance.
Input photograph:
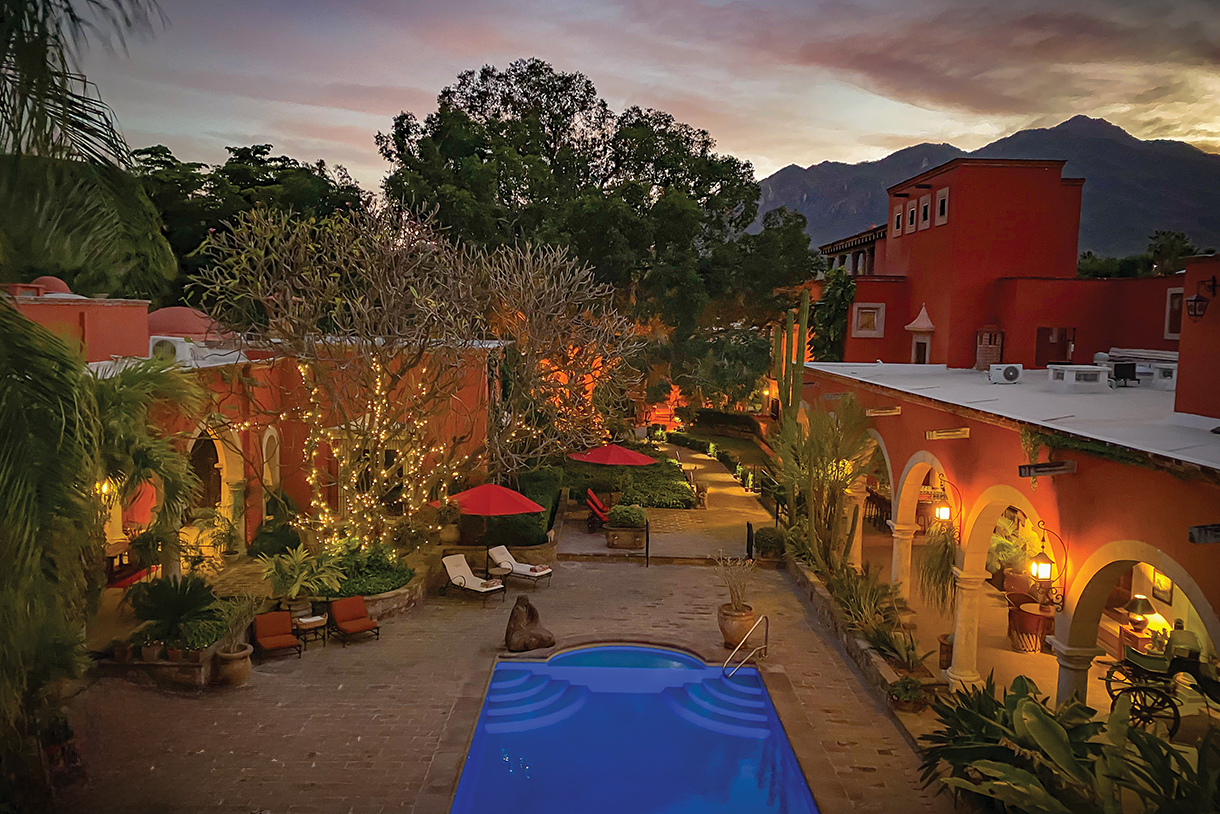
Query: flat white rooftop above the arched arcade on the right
{"points": [[1138, 418]]}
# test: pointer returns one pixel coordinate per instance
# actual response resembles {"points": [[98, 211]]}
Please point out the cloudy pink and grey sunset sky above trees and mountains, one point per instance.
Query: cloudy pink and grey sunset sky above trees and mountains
{"points": [[777, 82]]}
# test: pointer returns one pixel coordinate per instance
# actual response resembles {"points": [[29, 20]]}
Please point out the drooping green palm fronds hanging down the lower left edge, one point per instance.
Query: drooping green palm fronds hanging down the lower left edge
{"points": [[49, 522]]}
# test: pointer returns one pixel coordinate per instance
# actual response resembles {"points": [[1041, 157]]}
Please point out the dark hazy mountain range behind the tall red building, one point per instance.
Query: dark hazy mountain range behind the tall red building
{"points": [[1133, 186]]}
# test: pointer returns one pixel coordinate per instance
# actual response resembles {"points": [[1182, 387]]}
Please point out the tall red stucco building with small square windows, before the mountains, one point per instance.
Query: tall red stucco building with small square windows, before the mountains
{"points": [[978, 265]]}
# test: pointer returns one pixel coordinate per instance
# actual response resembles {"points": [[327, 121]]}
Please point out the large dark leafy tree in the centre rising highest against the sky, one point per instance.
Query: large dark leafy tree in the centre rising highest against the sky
{"points": [[531, 153]]}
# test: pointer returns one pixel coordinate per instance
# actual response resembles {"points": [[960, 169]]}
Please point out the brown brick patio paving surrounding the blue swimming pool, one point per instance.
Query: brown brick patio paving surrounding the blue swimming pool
{"points": [[381, 727]]}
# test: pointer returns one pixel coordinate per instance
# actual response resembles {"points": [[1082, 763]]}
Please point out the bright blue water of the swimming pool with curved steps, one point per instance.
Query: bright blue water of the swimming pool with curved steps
{"points": [[629, 730]]}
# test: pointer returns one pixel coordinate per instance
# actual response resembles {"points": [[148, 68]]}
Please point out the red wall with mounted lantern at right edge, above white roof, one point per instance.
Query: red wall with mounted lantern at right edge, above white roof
{"points": [[1199, 368]]}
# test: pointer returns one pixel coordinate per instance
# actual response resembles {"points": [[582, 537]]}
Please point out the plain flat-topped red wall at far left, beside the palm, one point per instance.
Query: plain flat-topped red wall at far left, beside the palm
{"points": [[99, 329]]}
